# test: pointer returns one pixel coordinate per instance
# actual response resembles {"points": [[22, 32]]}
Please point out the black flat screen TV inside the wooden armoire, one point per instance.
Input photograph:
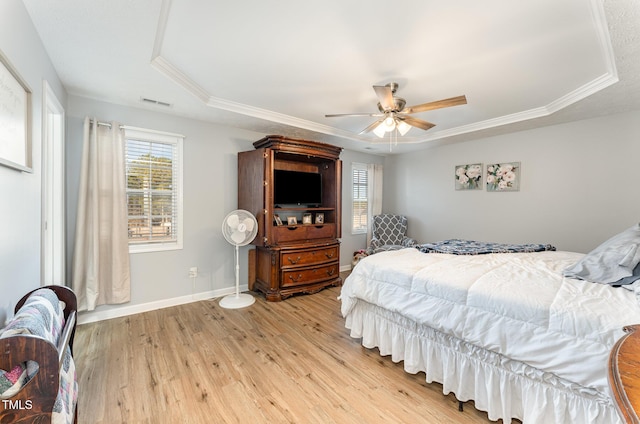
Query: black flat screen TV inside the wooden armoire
{"points": [[297, 188]]}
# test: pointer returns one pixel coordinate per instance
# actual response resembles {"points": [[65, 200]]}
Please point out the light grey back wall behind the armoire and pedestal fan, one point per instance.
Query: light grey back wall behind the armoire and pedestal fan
{"points": [[210, 192]]}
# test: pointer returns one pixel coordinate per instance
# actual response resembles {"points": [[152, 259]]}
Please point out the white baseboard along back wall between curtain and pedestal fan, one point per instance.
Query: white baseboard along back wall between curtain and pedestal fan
{"points": [[94, 316]]}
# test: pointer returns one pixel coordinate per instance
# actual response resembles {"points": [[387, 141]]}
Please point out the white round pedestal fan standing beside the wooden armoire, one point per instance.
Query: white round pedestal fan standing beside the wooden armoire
{"points": [[239, 228]]}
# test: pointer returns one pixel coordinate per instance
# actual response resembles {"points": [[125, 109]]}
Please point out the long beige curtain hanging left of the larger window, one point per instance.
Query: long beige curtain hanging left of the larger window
{"points": [[100, 272]]}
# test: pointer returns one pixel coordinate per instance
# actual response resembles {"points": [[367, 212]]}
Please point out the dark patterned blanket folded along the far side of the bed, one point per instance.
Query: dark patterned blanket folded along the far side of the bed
{"points": [[471, 247]]}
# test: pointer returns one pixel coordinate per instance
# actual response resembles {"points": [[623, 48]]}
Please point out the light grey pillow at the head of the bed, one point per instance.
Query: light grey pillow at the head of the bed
{"points": [[610, 262]]}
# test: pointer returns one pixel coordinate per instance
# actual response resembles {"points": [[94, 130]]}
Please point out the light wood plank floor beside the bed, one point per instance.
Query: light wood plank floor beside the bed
{"points": [[284, 362]]}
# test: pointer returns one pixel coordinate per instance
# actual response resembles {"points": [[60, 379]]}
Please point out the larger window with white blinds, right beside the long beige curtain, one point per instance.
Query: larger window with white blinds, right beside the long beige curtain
{"points": [[154, 190]]}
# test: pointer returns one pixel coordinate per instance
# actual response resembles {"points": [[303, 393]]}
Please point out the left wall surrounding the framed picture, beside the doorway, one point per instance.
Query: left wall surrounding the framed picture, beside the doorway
{"points": [[20, 207]]}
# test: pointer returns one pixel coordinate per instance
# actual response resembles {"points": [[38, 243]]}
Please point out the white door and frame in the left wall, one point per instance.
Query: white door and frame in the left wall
{"points": [[53, 199]]}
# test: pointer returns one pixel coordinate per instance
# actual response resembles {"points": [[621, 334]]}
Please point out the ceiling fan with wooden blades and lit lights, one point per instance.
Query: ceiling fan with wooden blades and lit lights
{"points": [[394, 114]]}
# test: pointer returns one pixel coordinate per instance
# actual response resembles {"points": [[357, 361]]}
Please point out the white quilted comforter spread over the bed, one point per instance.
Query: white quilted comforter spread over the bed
{"points": [[516, 304]]}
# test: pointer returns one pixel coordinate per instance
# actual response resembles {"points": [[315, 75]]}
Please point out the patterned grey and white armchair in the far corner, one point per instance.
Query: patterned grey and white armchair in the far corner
{"points": [[389, 232]]}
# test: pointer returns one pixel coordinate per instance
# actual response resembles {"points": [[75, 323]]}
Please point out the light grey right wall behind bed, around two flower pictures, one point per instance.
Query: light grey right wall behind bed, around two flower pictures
{"points": [[579, 186]]}
